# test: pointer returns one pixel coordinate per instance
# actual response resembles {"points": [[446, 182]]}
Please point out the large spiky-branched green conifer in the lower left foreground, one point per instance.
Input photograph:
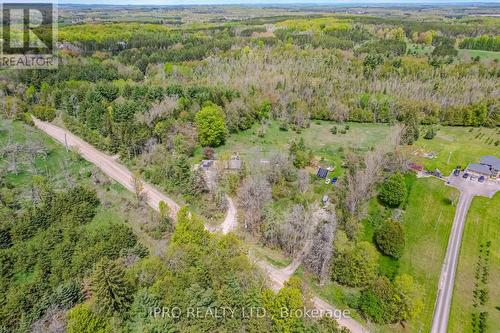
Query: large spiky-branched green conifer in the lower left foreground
{"points": [[111, 289]]}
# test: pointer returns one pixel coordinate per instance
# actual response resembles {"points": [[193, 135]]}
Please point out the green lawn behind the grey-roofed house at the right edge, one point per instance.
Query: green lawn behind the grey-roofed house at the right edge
{"points": [[457, 146]]}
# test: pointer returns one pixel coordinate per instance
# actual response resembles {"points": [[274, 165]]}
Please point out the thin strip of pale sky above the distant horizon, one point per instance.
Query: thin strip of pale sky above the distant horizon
{"points": [[265, 2]]}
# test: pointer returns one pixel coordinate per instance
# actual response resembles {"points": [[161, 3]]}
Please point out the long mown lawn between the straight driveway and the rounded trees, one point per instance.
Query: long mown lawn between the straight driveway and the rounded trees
{"points": [[428, 220]]}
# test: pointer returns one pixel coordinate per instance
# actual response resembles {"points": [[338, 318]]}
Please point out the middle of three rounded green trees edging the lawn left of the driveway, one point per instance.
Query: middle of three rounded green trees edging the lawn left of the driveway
{"points": [[390, 238]]}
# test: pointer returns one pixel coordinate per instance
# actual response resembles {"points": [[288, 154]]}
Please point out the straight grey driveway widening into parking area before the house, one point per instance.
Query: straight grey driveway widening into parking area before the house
{"points": [[468, 189]]}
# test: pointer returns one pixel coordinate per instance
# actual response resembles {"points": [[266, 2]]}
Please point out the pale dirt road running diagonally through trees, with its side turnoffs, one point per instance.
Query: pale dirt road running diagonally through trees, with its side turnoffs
{"points": [[123, 176]]}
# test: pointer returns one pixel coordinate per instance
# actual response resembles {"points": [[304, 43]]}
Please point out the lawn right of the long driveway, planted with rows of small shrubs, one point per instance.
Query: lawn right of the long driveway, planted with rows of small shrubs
{"points": [[481, 226]]}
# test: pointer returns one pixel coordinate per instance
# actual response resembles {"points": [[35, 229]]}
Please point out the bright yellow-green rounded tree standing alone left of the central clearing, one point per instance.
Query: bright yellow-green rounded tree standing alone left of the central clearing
{"points": [[210, 125]]}
